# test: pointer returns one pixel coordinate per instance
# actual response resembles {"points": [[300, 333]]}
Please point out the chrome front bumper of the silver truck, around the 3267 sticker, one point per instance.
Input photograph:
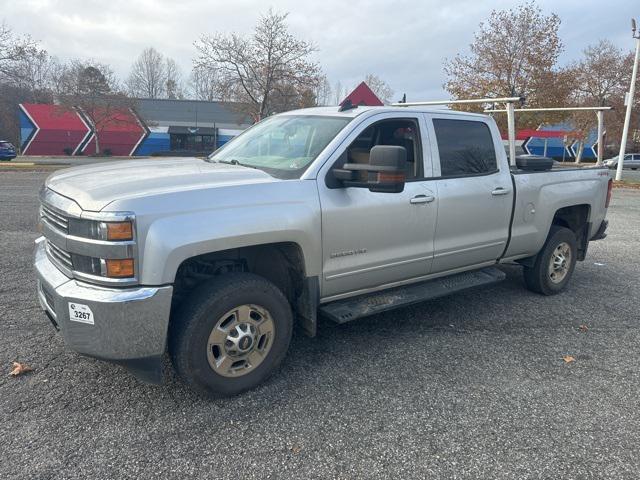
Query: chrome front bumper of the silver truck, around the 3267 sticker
{"points": [[130, 324]]}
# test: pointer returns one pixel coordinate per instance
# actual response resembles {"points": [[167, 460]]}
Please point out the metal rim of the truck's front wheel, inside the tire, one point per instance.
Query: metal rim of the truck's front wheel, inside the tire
{"points": [[240, 340]]}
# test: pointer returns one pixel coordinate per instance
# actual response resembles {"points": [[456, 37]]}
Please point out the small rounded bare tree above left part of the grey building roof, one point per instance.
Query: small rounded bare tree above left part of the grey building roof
{"points": [[148, 77]]}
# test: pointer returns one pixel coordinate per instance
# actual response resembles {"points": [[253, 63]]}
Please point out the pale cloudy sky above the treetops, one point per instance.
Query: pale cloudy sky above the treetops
{"points": [[402, 41]]}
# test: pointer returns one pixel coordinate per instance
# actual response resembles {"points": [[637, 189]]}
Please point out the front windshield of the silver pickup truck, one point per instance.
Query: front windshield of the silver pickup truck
{"points": [[283, 146]]}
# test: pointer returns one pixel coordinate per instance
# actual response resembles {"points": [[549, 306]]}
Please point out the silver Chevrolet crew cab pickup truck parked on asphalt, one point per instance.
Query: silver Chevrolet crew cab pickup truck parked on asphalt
{"points": [[322, 211]]}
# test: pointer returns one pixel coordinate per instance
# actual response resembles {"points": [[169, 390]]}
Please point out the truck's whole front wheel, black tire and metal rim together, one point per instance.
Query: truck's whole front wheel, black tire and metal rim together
{"points": [[231, 334]]}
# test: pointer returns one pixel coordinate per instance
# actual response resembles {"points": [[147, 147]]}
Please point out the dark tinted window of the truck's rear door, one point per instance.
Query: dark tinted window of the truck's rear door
{"points": [[465, 147]]}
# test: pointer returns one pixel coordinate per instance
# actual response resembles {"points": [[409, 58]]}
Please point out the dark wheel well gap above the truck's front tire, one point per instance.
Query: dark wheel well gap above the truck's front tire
{"points": [[280, 263]]}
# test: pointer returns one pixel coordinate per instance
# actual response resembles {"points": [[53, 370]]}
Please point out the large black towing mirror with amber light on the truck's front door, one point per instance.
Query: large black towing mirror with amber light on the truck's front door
{"points": [[385, 170]]}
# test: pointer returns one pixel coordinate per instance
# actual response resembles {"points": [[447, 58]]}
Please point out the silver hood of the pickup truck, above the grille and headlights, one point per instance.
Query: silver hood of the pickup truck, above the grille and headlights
{"points": [[93, 187]]}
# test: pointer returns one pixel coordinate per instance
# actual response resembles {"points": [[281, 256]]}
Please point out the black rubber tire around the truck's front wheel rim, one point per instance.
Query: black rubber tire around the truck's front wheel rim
{"points": [[201, 311]]}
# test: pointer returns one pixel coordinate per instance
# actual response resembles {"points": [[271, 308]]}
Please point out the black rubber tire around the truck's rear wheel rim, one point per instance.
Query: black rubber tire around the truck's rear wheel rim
{"points": [[537, 278]]}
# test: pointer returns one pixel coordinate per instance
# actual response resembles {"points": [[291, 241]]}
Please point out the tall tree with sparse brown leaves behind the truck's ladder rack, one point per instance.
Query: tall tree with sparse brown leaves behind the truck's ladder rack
{"points": [[514, 53]]}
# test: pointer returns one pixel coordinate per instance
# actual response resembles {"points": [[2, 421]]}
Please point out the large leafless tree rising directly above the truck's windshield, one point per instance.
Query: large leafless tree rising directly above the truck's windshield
{"points": [[266, 72]]}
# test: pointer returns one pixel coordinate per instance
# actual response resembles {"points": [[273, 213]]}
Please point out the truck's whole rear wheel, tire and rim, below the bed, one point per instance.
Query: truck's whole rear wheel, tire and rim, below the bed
{"points": [[554, 264]]}
